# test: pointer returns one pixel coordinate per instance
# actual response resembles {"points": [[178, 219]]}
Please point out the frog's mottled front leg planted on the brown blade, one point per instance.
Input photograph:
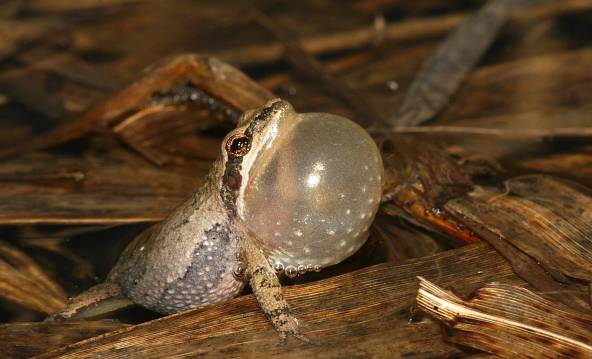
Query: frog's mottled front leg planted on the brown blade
{"points": [[268, 291]]}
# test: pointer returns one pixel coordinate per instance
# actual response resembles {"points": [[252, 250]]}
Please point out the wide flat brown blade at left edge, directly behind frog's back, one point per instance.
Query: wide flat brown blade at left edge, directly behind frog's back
{"points": [[91, 189]]}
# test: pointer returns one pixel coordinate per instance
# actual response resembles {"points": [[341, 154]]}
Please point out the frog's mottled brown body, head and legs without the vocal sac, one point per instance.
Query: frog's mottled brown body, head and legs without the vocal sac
{"points": [[192, 258]]}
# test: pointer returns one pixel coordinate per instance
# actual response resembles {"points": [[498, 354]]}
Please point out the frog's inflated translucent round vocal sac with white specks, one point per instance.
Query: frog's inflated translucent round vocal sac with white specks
{"points": [[312, 198]]}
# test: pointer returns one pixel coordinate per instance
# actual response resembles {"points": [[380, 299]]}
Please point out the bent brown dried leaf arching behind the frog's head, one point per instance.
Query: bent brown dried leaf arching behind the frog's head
{"points": [[165, 83]]}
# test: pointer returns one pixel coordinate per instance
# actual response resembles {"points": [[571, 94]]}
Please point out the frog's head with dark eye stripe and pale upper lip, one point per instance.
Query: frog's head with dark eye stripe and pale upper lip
{"points": [[255, 136]]}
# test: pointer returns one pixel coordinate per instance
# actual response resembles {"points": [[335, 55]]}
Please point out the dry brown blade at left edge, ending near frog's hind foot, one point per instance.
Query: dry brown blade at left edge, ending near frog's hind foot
{"points": [[23, 282]]}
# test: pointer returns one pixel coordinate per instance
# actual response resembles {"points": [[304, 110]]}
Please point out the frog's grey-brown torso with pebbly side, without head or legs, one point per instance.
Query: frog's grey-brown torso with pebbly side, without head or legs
{"points": [[185, 261]]}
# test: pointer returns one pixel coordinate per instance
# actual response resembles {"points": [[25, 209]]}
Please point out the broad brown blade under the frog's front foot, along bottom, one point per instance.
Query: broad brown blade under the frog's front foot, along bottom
{"points": [[338, 313]]}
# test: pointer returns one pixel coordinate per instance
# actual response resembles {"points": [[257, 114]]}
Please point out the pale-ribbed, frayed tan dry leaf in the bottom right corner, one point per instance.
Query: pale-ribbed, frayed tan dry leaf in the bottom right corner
{"points": [[509, 321]]}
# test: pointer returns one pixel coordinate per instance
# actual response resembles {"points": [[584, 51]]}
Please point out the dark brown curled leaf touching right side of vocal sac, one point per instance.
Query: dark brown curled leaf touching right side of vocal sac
{"points": [[419, 178]]}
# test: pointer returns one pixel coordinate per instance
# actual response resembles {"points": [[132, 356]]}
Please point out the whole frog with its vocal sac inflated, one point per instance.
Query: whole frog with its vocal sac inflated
{"points": [[290, 193]]}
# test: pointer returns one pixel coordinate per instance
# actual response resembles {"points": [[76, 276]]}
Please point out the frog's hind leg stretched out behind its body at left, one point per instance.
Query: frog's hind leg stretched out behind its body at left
{"points": [[98, 300]]}
